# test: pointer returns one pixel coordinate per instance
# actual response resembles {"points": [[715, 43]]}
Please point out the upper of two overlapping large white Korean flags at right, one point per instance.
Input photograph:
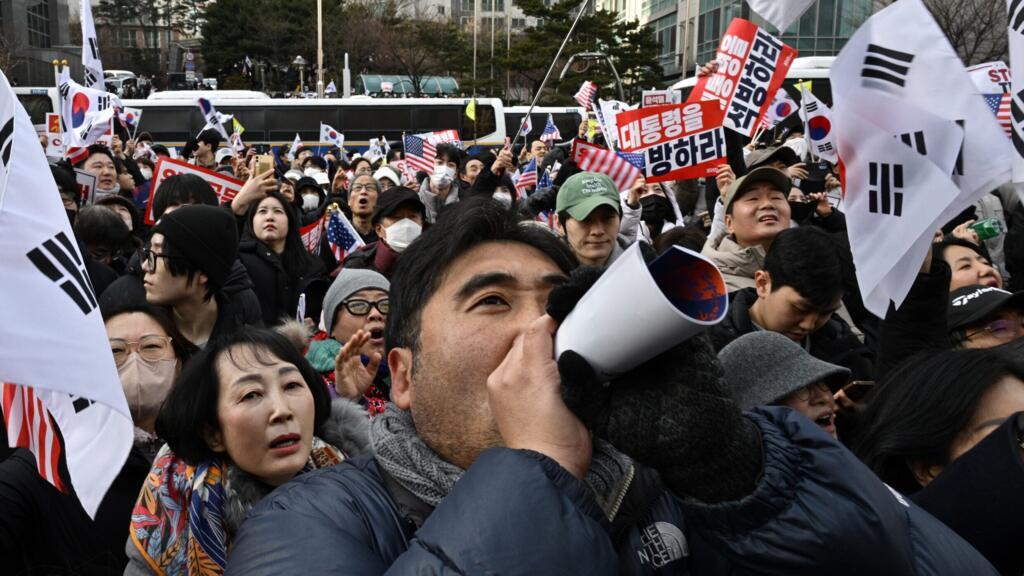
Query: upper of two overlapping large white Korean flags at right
{"points": [[902, 53]]}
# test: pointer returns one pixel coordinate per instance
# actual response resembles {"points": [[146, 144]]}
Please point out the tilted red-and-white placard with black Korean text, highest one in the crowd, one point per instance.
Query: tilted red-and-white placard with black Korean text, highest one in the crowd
{"points": [[752, 65]]}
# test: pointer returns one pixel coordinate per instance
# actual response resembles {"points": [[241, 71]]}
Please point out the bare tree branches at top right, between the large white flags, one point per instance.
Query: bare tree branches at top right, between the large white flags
{"points": [[977, 29]]}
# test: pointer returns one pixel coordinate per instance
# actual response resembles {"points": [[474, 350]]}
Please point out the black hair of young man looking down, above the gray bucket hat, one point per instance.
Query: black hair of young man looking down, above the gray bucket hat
{"points": [[807, 260]]}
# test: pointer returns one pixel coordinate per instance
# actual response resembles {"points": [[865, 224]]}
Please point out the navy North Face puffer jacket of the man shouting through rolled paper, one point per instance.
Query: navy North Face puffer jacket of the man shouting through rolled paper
{"points": [[816, 511]]}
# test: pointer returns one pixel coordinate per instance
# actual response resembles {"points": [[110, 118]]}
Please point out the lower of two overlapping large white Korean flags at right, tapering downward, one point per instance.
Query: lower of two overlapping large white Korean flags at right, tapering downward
{"points": [[895, 197]]}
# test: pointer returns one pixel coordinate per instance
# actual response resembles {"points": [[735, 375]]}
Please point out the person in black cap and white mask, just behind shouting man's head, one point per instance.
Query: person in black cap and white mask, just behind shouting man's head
{"points": [[399, 220]]}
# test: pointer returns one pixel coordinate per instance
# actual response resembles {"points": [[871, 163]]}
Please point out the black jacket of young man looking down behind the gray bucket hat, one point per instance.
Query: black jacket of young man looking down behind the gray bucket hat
{"points": [[834, 343]]}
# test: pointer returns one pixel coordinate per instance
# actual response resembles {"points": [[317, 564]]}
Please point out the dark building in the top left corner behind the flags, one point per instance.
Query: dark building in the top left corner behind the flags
{"points": [[34, 34]]}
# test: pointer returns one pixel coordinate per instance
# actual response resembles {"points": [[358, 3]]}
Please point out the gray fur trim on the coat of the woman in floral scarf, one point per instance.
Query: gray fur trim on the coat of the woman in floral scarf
{"points": [[347, 429]]}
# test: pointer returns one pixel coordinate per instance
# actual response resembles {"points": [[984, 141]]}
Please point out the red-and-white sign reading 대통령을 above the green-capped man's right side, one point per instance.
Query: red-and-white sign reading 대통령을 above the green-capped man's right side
{"points": [[699, 151]]}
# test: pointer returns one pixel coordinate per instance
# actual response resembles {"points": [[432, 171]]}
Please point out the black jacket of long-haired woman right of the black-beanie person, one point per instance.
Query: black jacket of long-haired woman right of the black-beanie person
{"points": [[278, 290]]}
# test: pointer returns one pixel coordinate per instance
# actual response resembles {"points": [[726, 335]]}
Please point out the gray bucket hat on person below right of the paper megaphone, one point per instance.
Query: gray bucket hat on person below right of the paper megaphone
{"points": [[763, 367]]}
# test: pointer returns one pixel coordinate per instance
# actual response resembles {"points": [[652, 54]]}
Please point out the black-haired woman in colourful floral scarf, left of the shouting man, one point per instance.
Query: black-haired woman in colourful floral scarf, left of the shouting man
{"points": [[247, 416]]}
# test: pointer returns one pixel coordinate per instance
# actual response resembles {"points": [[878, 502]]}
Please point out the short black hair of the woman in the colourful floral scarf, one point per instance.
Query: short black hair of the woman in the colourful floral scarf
{"points": [[191, 409]]}
